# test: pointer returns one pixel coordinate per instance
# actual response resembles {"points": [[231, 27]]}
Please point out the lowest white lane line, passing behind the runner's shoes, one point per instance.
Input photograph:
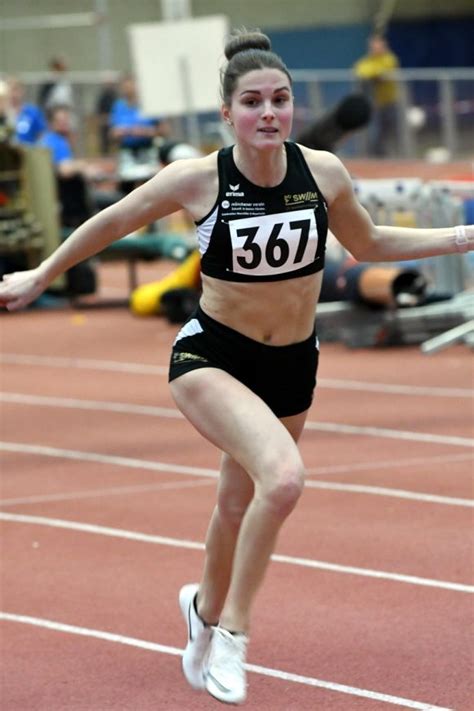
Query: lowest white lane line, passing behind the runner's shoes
{"points": [[174, 651]]}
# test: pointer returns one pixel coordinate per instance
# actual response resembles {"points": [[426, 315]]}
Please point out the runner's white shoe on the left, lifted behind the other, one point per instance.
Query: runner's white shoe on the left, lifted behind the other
{"points": [[199, 638]]}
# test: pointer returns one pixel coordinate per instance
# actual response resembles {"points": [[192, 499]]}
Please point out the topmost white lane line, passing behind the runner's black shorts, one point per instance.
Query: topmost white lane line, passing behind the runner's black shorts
{"points": [[144, 369]]}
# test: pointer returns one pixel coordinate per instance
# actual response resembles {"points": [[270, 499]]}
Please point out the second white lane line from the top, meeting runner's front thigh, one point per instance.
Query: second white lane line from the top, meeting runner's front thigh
{"points": [[121, 407]]}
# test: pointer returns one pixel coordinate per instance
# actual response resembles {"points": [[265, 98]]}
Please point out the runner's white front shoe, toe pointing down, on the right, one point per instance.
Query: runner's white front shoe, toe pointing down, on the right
{"points": [[225, 676]]}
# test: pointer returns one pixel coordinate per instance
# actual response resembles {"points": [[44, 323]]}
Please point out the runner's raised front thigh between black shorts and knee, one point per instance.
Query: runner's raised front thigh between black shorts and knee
{"points": [[236, 420]]}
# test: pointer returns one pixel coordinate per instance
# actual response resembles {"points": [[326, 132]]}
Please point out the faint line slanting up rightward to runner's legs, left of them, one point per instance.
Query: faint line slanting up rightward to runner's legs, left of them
{"points": [[112, 491]]}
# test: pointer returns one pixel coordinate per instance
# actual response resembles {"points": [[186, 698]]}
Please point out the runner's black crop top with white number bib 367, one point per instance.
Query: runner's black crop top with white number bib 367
{"points": [[264, 234]]}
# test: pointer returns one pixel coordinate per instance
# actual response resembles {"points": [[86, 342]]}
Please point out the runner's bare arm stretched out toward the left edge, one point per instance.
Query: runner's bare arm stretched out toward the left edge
{"points": [[160, 196]]}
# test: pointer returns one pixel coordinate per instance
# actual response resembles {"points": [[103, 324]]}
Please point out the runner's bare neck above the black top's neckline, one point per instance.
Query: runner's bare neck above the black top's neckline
{"points": [[264, 168]]}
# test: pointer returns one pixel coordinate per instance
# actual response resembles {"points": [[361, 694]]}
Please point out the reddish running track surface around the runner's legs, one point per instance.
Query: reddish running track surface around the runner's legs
{"points": [[405, 637]]}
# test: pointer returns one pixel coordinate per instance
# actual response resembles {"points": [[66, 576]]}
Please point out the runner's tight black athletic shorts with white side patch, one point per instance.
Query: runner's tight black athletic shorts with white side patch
{"points": [[284, 377]]}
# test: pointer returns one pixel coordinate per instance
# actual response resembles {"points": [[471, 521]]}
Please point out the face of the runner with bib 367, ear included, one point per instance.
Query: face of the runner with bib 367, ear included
{"points": [[261, 110]]}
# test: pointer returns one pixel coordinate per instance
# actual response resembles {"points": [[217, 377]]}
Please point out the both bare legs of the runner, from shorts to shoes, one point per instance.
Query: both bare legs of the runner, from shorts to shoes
{"points": [[257, 443]]}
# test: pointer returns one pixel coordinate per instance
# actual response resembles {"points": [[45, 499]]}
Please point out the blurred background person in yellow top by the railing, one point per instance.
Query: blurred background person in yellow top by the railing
{"points": [[376, 71]]}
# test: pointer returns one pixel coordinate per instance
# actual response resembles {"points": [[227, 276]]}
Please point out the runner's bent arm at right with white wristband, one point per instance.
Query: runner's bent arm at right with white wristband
{"points": [[354, 229]]}
